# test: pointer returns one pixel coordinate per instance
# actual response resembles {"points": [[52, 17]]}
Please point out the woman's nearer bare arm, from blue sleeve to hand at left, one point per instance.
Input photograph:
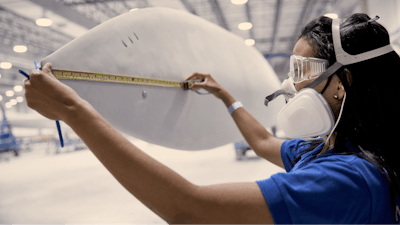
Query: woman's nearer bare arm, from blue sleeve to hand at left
{"points": [[162, 190]]}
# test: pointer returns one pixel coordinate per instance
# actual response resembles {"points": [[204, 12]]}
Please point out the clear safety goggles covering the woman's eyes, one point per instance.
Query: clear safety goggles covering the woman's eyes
{"points": [[306, 68]]}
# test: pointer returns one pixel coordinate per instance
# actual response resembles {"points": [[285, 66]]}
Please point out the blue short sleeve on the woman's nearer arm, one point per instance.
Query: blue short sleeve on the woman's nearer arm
{"points": [[319, 193]]}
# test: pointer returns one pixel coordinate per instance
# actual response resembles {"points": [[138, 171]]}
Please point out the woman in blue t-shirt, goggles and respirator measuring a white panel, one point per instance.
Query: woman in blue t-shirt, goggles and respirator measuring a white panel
{"points": [[347, 177]]}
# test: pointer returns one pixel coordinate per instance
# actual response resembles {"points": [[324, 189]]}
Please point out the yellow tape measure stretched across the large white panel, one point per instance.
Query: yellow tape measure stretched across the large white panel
{"points": [[75, 75]]}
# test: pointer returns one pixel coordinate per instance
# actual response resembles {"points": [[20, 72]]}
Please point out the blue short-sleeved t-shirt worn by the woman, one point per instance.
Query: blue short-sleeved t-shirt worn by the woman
{"points": [[333, 188]]}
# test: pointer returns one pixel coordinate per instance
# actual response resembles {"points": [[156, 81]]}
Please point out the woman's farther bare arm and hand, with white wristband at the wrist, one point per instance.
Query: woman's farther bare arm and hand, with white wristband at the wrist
{"points": [[260, 140]]}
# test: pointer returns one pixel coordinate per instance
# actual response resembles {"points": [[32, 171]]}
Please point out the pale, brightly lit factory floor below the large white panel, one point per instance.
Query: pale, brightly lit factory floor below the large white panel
{"points": [[40, 187]]}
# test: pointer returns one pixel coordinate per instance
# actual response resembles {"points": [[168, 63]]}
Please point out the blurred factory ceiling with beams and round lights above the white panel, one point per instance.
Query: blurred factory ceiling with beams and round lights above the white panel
{"points": [[275, 24]]}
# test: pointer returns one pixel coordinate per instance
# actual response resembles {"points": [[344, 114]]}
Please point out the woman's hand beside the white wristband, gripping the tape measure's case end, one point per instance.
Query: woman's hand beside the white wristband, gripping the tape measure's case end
{"points": [[209, 84]]}
